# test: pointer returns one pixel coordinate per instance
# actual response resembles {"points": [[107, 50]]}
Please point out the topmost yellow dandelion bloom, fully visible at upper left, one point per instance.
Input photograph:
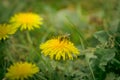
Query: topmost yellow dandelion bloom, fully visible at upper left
{"points": [[26, 21]]}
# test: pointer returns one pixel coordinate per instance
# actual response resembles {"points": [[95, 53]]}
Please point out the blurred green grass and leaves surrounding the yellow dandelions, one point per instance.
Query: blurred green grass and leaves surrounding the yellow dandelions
{"points": [[90, 24]]}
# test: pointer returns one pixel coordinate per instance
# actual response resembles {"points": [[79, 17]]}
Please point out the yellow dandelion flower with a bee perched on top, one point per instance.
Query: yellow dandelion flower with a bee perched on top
{"points": [[59, 48]]}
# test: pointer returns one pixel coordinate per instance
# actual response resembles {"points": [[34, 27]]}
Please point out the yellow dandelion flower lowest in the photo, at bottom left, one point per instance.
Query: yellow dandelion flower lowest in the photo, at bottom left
{"points": [[21, 71]]}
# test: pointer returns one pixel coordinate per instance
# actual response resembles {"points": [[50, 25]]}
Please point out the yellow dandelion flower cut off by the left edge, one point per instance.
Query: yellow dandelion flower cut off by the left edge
{"points": [[6, 30]]}
